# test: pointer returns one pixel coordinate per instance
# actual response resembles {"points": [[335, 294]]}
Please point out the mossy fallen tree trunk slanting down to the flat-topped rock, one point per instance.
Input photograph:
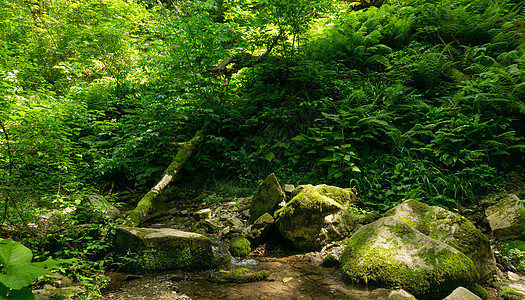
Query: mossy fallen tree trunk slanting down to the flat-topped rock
{"points": [[136, 216]]}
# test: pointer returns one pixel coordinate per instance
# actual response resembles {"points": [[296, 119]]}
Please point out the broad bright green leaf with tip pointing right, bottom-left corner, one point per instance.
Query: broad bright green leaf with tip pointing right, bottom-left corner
{"points": [[21, 276]]}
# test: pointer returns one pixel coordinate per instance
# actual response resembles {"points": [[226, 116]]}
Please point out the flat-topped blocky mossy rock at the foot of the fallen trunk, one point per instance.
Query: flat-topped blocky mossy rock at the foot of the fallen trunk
{"points": [[161, 249]]}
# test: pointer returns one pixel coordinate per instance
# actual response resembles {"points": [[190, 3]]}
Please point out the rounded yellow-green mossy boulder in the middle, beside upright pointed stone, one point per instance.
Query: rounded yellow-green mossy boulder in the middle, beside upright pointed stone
{"points": [[312, 219]]}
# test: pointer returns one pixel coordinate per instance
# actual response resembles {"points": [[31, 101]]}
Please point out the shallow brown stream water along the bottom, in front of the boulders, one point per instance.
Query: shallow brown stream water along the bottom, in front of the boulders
{"points": [[296, 276]]}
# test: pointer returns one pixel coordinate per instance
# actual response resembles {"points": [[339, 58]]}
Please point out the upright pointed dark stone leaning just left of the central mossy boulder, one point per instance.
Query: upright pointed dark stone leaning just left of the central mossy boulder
{"points": [[266, 198]]}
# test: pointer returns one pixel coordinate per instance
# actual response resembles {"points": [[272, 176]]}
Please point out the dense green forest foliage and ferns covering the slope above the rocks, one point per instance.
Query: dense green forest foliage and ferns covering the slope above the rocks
{"points": [[412, 99]]}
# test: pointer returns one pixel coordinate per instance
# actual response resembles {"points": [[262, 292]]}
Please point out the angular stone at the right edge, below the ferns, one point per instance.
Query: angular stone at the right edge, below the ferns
{"points": [[507, 218]]}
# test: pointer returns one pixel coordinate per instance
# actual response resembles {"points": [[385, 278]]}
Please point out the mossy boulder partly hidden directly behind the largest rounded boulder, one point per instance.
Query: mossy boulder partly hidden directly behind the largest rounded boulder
{"points": [[452, 229]]}
